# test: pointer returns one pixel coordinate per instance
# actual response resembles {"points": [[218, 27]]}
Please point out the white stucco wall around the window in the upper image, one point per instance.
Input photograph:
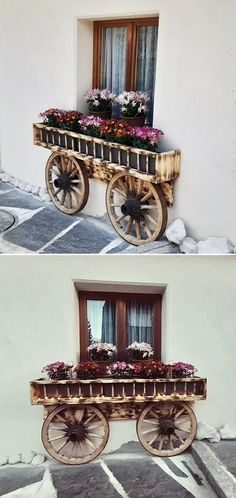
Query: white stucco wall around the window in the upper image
{"points": [[45, 59]]}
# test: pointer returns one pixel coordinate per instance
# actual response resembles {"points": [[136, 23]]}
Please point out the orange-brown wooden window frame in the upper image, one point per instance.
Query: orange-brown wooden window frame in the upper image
{"points": [[131, 25]]}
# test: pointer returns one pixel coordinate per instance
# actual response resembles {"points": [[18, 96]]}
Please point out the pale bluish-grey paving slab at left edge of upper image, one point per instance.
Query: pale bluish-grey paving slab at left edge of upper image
{"points": [[16, 198]]}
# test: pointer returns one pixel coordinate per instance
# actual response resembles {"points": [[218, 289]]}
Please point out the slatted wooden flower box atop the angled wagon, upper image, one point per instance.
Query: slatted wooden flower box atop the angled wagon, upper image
{"points": [[160, 167]]}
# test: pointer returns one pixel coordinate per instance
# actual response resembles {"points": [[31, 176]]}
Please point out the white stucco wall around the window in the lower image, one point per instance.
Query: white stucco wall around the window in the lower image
{"points": [[39, 310]]}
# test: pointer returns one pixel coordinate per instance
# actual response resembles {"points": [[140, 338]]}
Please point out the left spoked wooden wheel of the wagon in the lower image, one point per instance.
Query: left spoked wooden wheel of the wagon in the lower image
{"points": [[75, 435]]}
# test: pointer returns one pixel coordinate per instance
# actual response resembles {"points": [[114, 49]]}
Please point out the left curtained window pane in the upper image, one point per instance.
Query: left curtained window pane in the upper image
{"points": [[113, 61]]}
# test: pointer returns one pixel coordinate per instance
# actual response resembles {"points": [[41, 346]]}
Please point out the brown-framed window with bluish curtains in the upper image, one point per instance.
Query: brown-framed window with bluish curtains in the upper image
{"points": [[125, 55]]}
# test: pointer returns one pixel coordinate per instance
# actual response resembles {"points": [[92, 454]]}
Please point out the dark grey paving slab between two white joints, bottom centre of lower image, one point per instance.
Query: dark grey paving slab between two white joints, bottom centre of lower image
{"points": [[146, 480]]}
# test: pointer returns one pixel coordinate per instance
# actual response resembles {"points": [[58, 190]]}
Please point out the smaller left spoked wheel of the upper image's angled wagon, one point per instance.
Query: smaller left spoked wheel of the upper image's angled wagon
{"points": [[67, 183]]}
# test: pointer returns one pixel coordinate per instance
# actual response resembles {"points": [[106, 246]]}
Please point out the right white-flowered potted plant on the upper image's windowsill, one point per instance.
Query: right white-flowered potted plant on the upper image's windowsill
{"points": [[133, 107]]}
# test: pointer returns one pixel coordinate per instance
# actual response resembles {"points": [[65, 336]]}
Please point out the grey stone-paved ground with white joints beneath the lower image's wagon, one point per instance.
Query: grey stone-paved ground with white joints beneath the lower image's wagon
{"points": [[130, 472]]}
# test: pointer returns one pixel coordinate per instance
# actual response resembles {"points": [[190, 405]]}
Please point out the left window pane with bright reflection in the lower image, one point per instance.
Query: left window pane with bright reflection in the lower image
{"points": [[101, 321]]}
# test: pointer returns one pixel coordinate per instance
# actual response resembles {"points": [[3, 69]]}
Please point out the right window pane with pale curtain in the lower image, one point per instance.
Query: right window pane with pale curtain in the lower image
{"points": [[139, 322]]}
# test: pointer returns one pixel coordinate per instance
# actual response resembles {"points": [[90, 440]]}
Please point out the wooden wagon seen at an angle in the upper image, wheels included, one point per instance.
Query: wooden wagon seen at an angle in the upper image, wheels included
{"points": [[139, 182]]}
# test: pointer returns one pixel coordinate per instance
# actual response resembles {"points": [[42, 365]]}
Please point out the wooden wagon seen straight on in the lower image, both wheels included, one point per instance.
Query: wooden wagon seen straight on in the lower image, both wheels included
{"points": [[76, 412]]}
